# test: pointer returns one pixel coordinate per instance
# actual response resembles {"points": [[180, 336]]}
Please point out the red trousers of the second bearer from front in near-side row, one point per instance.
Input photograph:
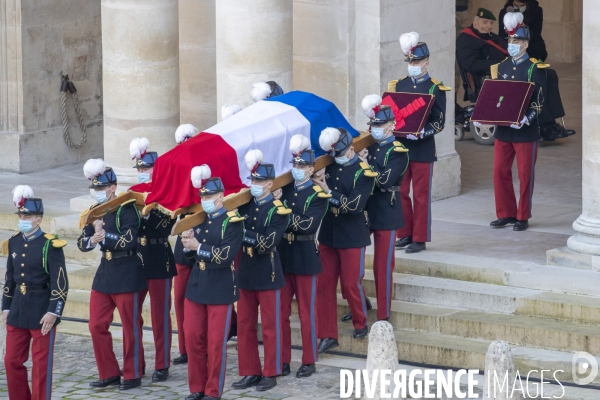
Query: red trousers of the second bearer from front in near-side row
{"points": [[269, 302]]}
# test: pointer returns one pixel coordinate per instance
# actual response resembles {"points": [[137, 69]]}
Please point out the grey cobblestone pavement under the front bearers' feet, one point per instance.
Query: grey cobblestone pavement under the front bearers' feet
{"points": [[74, 368]]}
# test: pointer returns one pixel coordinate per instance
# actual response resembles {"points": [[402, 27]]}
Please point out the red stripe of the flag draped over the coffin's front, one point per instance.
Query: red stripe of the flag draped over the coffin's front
{"points": [[171, 186]]}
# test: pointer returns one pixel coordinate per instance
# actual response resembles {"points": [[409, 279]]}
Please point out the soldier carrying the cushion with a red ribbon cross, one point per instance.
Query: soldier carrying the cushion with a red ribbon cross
{"points": [[421, 146]]}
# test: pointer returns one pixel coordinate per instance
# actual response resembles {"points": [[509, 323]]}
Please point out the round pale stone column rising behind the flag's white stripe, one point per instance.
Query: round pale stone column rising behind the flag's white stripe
{"points": [[254, 43]]}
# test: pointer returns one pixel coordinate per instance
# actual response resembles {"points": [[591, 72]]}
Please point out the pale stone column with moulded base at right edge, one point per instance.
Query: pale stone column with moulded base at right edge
{"points": [[587, 226]]}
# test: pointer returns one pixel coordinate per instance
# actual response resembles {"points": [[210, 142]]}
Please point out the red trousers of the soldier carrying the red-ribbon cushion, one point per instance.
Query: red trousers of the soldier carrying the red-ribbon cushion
{"points": [[417, 221]]}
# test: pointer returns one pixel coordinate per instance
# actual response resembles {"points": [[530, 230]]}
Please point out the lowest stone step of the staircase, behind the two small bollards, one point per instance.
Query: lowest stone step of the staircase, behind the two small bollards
{"points": [[453, 351]]}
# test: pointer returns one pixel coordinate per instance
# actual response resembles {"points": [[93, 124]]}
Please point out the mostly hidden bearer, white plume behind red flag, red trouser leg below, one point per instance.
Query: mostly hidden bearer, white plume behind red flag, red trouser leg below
{"points": [[183, 265]]}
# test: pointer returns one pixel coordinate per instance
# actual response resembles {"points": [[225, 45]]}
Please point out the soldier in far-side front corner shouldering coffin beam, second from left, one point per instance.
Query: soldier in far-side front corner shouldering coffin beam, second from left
{"points": [[117, 283]]}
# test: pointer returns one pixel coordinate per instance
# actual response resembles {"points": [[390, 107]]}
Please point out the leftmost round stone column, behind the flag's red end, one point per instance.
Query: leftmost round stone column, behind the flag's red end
{"points": [[140, 44]]}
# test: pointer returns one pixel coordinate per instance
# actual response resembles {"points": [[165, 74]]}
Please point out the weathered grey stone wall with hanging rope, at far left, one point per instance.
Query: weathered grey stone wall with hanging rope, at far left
{"points": [[39, 41]]}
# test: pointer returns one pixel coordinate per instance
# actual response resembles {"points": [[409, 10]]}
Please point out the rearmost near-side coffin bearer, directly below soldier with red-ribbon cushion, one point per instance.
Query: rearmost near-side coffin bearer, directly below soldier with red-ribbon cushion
{"points": [[389, 158]]}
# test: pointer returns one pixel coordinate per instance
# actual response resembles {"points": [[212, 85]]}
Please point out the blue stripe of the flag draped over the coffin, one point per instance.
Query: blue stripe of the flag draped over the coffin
{"points": [[319, 112]]}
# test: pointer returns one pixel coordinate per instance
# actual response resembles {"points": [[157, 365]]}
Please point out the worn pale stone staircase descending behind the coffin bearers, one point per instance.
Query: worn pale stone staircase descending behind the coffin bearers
{"points": [[447, 307]]}
